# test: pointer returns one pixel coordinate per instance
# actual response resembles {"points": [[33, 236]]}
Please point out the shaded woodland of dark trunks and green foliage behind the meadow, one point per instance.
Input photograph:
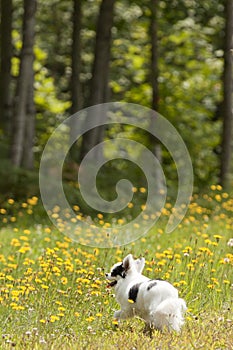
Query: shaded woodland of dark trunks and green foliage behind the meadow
{"points": [[58, 57]]}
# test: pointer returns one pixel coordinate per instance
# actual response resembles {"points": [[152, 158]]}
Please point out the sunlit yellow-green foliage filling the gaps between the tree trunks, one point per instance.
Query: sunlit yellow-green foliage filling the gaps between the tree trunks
{"points": [[190, 66]]}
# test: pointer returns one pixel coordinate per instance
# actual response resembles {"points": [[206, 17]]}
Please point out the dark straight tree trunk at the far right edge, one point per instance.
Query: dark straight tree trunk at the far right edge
{"points": [[227, 96]]}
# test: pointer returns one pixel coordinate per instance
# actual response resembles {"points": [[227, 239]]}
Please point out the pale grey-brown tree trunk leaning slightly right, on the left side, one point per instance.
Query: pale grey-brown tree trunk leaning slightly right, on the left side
{"points": [[24, 84]]}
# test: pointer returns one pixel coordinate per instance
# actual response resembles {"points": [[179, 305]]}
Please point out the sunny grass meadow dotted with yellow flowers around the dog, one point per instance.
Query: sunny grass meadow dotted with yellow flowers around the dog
{"points": [[53, 291]]}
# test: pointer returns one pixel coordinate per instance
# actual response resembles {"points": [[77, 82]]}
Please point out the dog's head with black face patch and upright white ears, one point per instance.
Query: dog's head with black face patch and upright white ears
{"points": [[127, 267]]}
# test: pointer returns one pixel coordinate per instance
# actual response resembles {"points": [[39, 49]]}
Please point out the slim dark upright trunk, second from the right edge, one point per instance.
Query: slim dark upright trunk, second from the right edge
{"points": [[154, 72]]}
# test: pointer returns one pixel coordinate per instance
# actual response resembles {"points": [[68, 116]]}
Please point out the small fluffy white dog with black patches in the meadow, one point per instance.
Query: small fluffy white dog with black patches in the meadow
{"points": [[154, 301]]}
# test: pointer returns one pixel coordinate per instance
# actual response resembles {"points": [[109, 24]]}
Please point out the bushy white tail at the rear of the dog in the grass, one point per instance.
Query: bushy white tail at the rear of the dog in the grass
{"points": [[169, 313]]}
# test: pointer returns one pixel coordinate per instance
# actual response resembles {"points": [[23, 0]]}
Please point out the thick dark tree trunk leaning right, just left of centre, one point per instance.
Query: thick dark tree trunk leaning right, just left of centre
{"points": [[100, 73]]}
